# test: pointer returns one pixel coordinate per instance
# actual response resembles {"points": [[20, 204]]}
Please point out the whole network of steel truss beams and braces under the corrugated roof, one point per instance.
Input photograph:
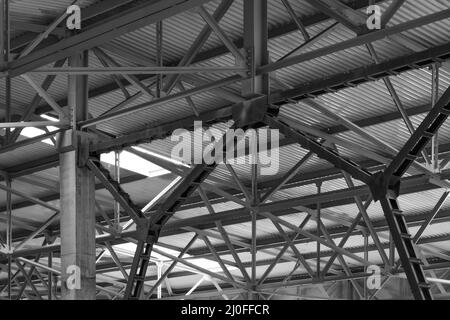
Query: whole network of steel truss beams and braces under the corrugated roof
{"points": [[254, 107]]}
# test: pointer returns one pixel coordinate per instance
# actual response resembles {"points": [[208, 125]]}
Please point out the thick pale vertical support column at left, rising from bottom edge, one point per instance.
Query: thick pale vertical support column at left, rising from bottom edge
{"points": [[77, 197]]}
